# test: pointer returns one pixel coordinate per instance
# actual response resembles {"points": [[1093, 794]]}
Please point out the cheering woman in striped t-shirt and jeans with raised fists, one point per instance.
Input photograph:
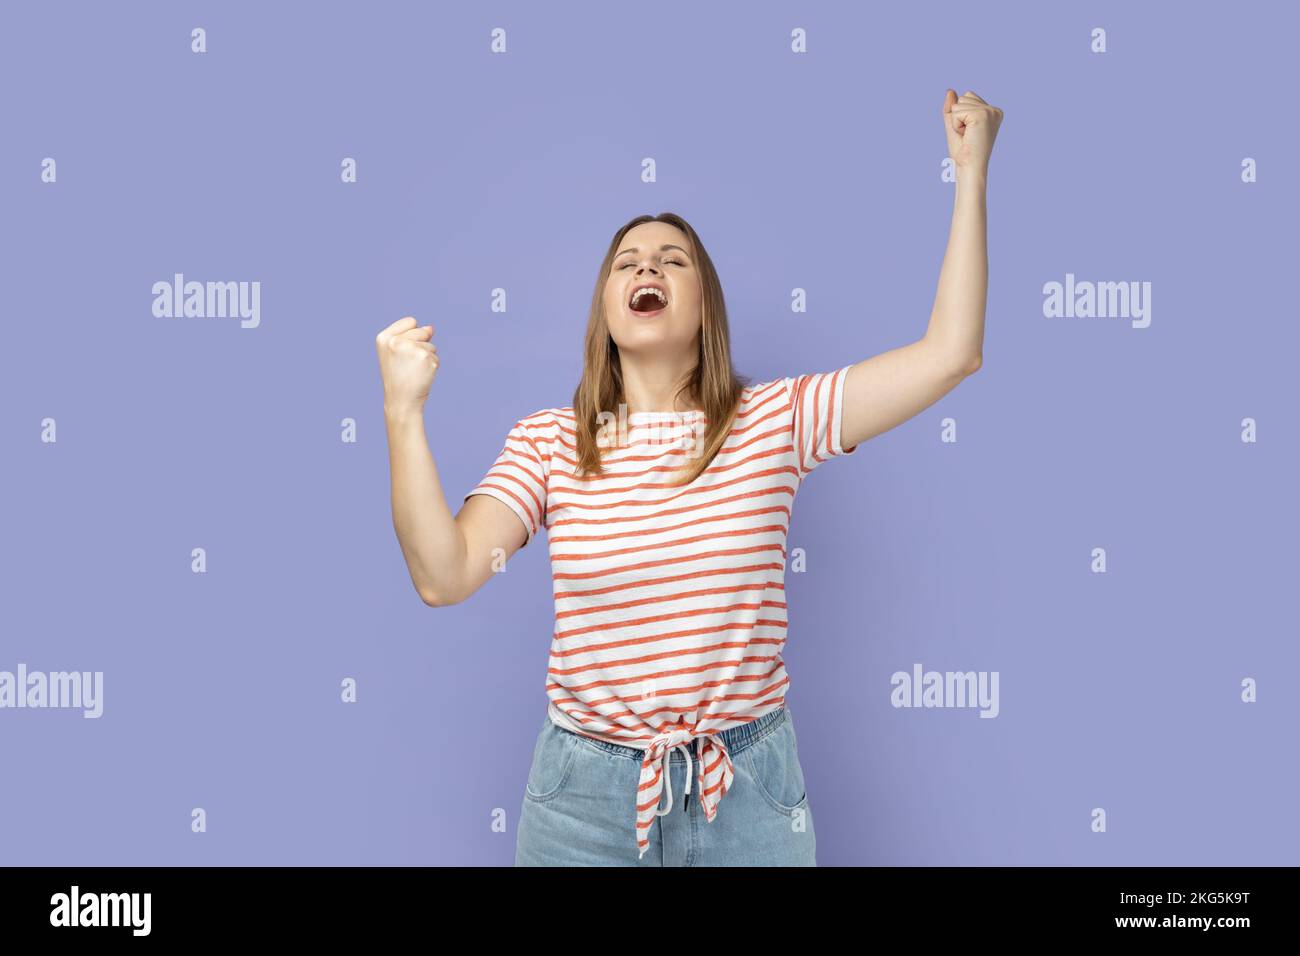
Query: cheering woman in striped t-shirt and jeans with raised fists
{"points": [[666, 492]]}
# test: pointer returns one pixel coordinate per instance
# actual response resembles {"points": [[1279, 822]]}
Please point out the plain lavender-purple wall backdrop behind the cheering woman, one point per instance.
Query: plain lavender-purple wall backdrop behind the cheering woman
{"points": [[479, 171]]}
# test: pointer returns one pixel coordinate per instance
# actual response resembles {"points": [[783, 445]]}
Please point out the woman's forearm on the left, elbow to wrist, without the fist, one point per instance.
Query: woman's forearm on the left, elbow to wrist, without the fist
{"points": [[431, 539]]}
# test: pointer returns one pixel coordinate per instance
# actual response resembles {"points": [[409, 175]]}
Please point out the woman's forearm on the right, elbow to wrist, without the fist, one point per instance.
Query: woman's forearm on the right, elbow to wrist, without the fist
{"points": [[957, 322]]}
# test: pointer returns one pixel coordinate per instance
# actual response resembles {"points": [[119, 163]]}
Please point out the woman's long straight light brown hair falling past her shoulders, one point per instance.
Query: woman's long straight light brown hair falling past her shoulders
{"points": [[714, 382]]}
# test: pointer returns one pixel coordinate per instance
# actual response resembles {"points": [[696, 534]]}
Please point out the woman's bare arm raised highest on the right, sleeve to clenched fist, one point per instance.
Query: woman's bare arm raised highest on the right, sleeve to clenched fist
{"points": [[890, 388]]}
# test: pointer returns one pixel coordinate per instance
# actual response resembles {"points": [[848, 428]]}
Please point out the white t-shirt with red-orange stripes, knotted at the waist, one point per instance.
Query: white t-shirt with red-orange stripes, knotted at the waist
{"points": [[670, 603]]}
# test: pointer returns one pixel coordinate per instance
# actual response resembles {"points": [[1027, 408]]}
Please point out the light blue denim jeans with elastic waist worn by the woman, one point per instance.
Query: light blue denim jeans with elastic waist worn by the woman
{"points": [[580, 804]]}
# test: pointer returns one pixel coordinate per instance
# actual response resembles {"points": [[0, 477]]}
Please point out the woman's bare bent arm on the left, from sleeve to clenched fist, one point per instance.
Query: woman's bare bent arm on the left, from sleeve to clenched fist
{"points": [[449, 557]]}
